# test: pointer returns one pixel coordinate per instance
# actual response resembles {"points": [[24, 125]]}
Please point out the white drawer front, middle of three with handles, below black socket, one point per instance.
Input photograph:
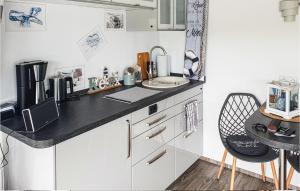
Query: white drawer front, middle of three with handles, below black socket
{"points": [[151, 140]]}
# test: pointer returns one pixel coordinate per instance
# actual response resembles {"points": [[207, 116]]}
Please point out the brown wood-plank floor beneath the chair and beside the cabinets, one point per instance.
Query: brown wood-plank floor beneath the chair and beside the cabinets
{"points": [[203, 176]]}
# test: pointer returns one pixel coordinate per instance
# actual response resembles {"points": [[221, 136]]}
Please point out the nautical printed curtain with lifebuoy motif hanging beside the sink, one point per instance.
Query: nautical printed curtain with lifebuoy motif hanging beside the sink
{"points": [[196, 39]]}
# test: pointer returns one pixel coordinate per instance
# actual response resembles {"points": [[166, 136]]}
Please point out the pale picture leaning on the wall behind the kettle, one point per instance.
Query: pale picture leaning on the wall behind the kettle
{"points": [[77, 73]]}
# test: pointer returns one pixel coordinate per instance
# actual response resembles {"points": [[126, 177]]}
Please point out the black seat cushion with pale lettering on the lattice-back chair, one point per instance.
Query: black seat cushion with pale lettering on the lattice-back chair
{"points": [[246, 145]]}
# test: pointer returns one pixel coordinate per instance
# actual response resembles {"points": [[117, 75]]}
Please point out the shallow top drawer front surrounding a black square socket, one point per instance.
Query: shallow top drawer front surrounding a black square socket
{"points": [[142, 114]]}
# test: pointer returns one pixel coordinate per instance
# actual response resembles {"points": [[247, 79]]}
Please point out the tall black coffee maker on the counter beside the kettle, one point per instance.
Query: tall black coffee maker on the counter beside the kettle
{"points": [[30, 83]]}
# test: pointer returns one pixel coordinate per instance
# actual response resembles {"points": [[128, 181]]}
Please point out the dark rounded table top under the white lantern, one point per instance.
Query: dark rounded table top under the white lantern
{"points": [[291, 144]]}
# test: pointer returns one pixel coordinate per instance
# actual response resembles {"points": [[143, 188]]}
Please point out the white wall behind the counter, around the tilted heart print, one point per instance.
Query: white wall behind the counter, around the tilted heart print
{"points": [[66, 25]]}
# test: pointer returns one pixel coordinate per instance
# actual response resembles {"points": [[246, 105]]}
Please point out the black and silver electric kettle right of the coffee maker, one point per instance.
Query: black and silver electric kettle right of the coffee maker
{"points": [[60, 88]]}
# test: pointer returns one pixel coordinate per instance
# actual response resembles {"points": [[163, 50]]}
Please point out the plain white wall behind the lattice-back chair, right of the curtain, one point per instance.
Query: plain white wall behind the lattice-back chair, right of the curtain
{"points": [[248, 45]]}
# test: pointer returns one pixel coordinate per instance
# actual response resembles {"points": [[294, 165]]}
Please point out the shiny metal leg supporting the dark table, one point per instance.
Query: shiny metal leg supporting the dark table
{"points": [[282, 169]]}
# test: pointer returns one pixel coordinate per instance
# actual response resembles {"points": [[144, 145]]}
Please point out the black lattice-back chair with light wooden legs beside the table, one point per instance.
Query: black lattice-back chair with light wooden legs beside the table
{"points": [[237, 108]]}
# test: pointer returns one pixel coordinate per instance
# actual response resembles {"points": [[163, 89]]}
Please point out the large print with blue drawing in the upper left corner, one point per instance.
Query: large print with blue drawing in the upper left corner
{"points": [[24, 17]]}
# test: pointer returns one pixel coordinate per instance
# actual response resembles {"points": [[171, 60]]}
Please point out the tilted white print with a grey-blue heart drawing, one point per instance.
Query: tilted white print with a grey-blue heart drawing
{"points": [[91, 43]]}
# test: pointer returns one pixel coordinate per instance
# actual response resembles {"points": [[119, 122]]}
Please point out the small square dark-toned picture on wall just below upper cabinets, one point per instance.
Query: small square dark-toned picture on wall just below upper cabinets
{"points": [[115, 20]]}
